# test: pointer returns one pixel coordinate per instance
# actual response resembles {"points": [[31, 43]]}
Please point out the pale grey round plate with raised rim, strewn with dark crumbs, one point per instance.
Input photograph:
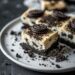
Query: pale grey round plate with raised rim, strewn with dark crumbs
{"points": [[10, 46]]}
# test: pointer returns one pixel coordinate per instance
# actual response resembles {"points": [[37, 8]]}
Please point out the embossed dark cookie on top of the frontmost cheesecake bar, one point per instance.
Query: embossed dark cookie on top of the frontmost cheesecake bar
{"points": [[39, 28]]}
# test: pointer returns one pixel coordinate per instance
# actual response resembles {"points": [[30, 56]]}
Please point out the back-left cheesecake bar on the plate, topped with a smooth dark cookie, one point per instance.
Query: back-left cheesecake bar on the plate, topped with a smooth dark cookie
{"points": [[31, 15]]}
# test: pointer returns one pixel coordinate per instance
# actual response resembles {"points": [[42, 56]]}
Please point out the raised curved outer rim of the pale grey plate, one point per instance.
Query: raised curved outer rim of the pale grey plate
{"points": [[22, 64]]}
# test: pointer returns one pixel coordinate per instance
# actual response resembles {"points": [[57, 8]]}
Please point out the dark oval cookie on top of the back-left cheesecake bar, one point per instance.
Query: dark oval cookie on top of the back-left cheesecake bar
{"points": [[35, 13]]}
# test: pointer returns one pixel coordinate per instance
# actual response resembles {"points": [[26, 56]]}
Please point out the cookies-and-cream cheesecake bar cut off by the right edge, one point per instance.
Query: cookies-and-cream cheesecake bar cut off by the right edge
{"points": [[67, 33]]}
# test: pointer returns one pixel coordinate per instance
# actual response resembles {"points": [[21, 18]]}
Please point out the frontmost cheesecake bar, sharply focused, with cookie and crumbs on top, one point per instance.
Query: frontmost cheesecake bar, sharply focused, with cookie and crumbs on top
{"points": [[39, 37]]}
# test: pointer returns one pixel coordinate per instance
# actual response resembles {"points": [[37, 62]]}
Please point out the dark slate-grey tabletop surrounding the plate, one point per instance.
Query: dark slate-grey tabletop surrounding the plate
{"points": [[10, 9]]}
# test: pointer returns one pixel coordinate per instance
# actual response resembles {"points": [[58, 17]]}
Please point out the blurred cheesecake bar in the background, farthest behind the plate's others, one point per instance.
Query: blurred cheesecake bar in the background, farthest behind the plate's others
{"points": [[53, 5]]}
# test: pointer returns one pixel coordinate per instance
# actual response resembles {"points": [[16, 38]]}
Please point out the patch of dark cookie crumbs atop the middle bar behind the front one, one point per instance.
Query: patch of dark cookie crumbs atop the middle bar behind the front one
{"points": [[51, 21]]}
